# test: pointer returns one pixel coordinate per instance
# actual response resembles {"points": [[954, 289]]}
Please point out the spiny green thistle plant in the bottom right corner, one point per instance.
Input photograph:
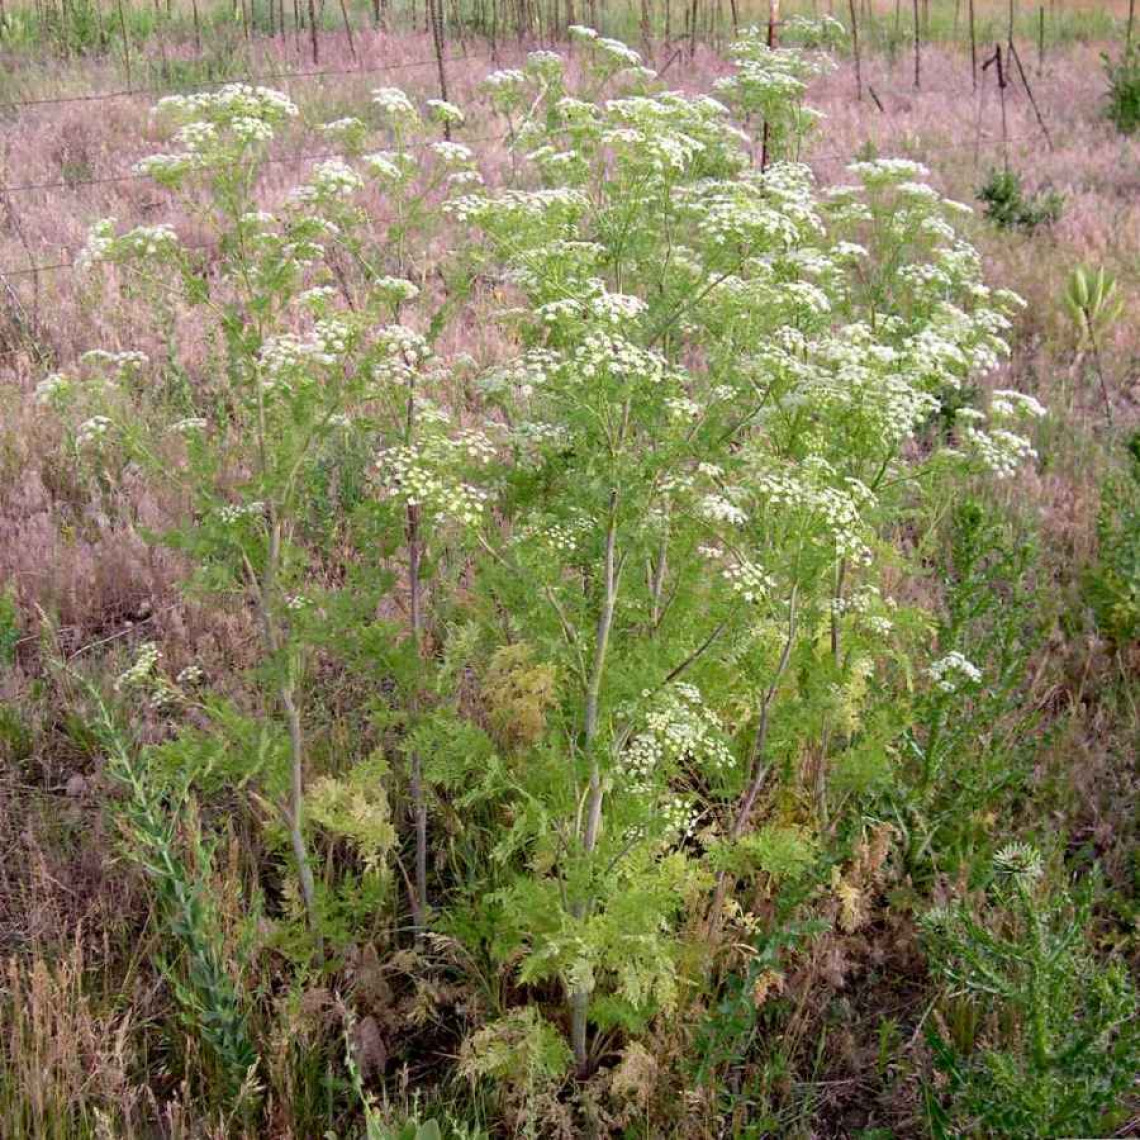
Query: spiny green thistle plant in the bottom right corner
{"points": [[1057, 1044]]}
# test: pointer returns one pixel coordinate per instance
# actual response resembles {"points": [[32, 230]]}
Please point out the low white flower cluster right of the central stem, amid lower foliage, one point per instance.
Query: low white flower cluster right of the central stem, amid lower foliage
{"points": [[680, 729]]}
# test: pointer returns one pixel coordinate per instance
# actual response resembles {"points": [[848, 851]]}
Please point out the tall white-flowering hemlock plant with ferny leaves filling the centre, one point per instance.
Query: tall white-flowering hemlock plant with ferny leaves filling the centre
{"points": [[632, 558]]}
